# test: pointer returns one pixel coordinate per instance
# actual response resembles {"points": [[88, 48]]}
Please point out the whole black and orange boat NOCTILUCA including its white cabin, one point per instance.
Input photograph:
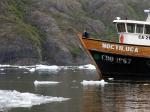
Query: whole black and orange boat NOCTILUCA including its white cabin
{"points": [[129, 57]]}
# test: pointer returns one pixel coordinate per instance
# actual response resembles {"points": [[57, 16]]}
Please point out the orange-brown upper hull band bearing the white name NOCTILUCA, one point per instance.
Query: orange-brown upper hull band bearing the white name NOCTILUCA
{"points": [[117, 48]]}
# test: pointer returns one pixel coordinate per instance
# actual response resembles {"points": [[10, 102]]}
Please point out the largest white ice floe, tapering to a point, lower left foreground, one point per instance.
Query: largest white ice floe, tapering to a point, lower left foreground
{"points": [[12, 99]]}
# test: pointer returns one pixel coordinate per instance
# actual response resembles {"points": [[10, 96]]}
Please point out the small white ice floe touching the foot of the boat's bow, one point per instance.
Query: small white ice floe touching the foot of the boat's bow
{"points": [[85, 83]]}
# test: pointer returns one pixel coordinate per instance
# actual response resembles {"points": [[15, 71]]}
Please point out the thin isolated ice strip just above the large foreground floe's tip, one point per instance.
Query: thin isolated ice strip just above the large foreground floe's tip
{"points": [[36, 83]]}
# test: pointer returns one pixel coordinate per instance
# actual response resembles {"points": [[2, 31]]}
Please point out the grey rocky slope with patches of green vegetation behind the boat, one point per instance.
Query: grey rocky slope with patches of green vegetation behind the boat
{"points": [[45, 31]]}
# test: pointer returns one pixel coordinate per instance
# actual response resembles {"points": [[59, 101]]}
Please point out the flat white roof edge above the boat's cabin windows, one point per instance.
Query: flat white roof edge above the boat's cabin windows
{"points": [[131, 21]]}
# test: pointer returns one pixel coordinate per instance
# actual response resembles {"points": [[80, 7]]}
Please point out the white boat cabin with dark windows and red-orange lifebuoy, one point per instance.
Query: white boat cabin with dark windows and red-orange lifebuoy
{"points": [[134, 32]]}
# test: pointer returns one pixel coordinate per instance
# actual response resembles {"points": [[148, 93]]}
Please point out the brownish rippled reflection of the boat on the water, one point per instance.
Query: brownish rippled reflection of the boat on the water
{"points": [[118, 97]]}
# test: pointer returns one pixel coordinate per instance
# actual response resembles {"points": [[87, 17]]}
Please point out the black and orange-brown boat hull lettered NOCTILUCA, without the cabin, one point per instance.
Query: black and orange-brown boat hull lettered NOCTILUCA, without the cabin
{"points": [[113, 59]]}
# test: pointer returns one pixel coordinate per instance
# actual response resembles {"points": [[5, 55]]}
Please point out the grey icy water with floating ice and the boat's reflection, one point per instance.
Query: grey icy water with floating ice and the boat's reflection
{"points": [[69, 89]]}
